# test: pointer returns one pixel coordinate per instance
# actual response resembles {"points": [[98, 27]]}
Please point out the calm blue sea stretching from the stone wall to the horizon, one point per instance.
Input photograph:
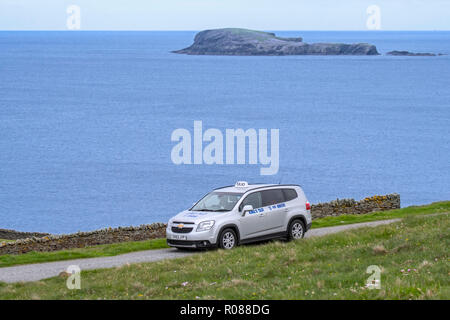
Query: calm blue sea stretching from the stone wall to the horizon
{"points": [[86, 120]]}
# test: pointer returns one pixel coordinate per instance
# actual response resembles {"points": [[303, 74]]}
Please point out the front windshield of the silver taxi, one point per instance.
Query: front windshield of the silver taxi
{"points": [[217, 202]]}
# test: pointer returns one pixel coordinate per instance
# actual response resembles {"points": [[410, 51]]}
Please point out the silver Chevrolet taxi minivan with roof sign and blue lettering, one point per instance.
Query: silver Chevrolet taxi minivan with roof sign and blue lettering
{"points": [[243, 213]]}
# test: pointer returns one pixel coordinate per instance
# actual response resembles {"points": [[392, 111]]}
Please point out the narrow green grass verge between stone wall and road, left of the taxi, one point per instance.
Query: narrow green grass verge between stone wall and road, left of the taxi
{"points": [[88, 252]]}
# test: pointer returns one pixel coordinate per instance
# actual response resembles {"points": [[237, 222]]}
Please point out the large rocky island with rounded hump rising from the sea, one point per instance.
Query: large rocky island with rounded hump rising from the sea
{"points": [[244, 42]]}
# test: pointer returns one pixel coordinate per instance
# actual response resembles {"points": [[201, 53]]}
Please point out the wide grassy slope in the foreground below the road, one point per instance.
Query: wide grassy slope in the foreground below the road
{"points": [[329, 267]]}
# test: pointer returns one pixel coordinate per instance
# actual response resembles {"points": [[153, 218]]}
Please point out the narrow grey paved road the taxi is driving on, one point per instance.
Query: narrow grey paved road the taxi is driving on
{"points": [[34, 272]]}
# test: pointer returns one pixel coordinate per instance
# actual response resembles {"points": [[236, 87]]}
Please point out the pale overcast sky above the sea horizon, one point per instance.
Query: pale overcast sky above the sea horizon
{"points": [[206, 14]]}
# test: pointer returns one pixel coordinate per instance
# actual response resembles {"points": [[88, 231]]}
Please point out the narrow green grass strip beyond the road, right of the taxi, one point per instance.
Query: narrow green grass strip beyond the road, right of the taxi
{"points": [[436, 207]]}
